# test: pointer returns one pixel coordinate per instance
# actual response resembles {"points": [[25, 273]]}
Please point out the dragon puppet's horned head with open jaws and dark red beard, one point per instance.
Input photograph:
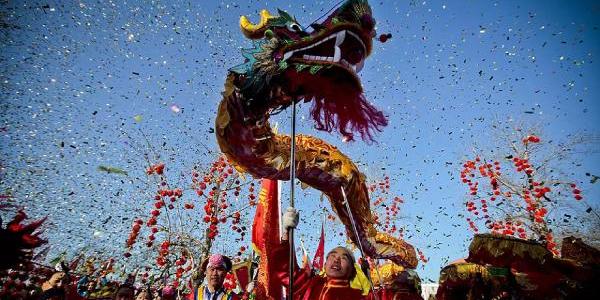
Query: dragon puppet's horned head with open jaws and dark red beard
{"points": [[290, 64]]}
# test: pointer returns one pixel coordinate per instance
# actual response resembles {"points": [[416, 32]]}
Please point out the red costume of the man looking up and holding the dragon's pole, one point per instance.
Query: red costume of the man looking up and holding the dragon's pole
{"points": [[308, 285]]}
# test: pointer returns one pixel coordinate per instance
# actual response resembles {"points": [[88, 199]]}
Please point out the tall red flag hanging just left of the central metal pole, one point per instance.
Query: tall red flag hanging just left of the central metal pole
{"points": [[265, 237]]}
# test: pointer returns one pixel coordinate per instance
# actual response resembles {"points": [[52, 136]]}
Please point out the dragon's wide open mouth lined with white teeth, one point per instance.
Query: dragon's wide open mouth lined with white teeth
{"points": [[343, 48]]}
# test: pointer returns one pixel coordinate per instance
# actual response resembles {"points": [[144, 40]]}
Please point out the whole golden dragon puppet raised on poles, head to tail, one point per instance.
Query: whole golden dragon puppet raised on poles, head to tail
{"points": [[288, 65]]}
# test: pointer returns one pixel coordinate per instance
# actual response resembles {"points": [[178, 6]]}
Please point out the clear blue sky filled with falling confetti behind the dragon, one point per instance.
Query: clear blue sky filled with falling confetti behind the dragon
{"points": [[77, 73]]}
